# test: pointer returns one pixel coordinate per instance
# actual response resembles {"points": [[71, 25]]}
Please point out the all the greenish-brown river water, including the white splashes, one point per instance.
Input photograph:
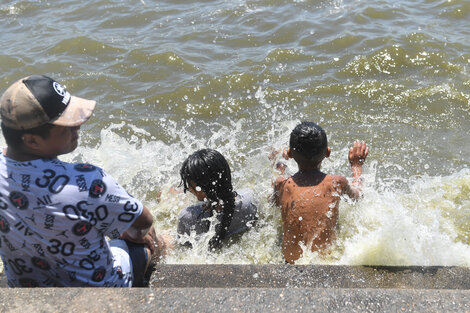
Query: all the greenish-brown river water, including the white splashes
{"points": [[171, 77]]}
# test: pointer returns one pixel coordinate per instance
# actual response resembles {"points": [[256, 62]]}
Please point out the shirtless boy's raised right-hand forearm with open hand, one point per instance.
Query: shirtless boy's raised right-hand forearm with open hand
{"points": [[357, 155]]}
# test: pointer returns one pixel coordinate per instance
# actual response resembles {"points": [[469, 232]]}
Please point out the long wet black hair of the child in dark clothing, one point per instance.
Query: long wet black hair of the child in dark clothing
{"points": [[209, 170]]}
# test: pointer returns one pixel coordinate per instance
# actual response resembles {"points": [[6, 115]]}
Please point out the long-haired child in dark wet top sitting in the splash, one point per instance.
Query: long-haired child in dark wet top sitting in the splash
{"points": [[206, 174]]}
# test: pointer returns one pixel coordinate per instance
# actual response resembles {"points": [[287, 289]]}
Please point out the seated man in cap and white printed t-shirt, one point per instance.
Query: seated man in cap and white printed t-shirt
{"points": [[55, 216]]}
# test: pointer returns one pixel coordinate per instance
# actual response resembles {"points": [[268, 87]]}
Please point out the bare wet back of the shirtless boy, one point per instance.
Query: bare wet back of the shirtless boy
{"points": [[309, 208]]}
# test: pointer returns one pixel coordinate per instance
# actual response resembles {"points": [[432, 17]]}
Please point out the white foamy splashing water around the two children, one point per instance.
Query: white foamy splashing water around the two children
{"points": [[426, 223]]}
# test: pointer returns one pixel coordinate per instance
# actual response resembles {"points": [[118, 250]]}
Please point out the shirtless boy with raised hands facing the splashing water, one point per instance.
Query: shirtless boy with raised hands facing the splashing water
{"points": [[309, 199]]}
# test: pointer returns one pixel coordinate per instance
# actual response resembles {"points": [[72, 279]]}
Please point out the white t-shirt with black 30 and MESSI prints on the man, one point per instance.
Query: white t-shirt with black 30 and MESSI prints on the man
{"points": [[54, 217]]}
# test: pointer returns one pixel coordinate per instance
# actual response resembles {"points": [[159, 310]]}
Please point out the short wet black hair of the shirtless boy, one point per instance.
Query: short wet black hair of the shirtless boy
{"points": [[308, 140]]}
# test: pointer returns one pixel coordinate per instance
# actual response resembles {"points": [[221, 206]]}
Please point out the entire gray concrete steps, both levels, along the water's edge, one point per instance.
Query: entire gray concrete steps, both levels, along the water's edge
{"points": [[262, 288]]}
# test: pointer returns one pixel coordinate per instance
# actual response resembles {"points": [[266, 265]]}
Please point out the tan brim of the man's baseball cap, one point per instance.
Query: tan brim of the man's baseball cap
{"points": [[78, 111]]}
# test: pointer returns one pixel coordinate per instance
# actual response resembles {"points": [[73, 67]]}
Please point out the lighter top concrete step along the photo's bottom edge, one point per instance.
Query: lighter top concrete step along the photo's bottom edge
{"points": [[232, 300]]}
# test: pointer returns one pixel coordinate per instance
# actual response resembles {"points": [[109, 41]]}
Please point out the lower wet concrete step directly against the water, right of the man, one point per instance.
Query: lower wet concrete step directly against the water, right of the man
{"points": [[310, 276]]}
